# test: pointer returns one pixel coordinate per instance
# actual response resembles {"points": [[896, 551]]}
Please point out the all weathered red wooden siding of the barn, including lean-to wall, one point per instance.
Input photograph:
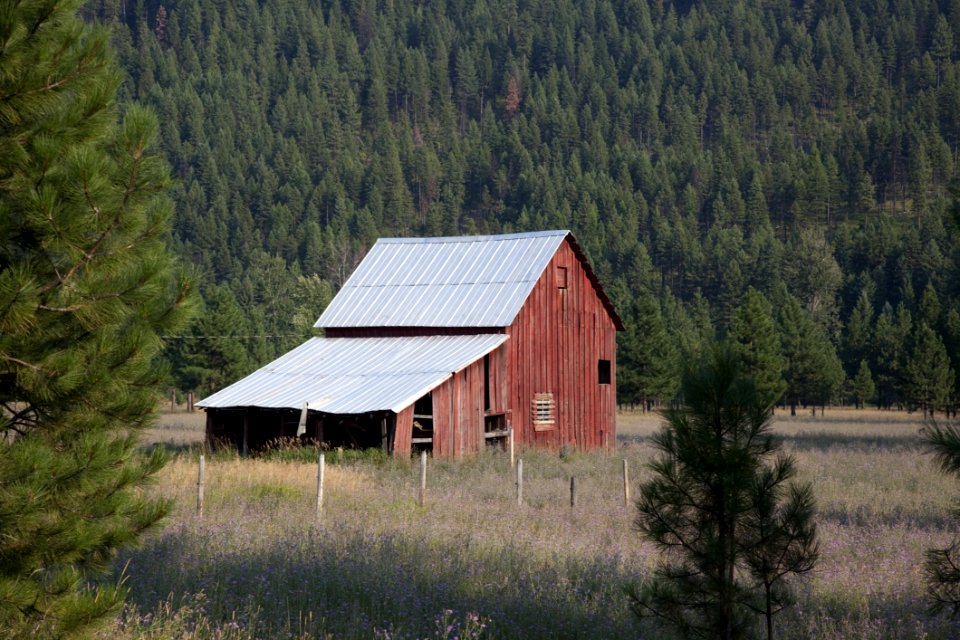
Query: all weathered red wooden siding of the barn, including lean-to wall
{"points": [[556, 342]]}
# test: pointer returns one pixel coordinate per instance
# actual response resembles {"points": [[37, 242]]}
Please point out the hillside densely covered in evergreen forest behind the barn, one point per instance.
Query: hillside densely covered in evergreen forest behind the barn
{"points": [[778, 171]]}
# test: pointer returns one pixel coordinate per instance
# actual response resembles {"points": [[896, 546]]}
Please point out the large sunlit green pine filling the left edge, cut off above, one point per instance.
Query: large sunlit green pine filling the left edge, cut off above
{"points": [[88, 287]]}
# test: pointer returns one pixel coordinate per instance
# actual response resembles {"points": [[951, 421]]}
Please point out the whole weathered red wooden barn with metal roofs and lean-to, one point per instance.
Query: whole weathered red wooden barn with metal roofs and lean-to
{"points": [[444, 344]]}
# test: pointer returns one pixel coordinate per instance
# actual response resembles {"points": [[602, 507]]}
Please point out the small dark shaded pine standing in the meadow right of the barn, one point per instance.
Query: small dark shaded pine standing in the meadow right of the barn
{"points": [[721, 507]]}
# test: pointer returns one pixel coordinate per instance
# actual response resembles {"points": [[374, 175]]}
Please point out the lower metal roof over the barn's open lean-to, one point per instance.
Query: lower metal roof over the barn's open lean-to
{"points": [[355, 375]]}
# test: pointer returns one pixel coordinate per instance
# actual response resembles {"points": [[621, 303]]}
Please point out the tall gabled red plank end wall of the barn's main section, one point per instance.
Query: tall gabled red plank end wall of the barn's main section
{"points": [[556, 343]]}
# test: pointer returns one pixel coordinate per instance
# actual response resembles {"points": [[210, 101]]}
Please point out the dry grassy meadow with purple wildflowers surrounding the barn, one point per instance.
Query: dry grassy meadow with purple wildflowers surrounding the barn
{"points": [[472, 563]]}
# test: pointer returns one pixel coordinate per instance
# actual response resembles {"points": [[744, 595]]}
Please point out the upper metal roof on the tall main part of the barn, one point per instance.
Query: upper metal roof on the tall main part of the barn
{"points": [[468, 281]]}
